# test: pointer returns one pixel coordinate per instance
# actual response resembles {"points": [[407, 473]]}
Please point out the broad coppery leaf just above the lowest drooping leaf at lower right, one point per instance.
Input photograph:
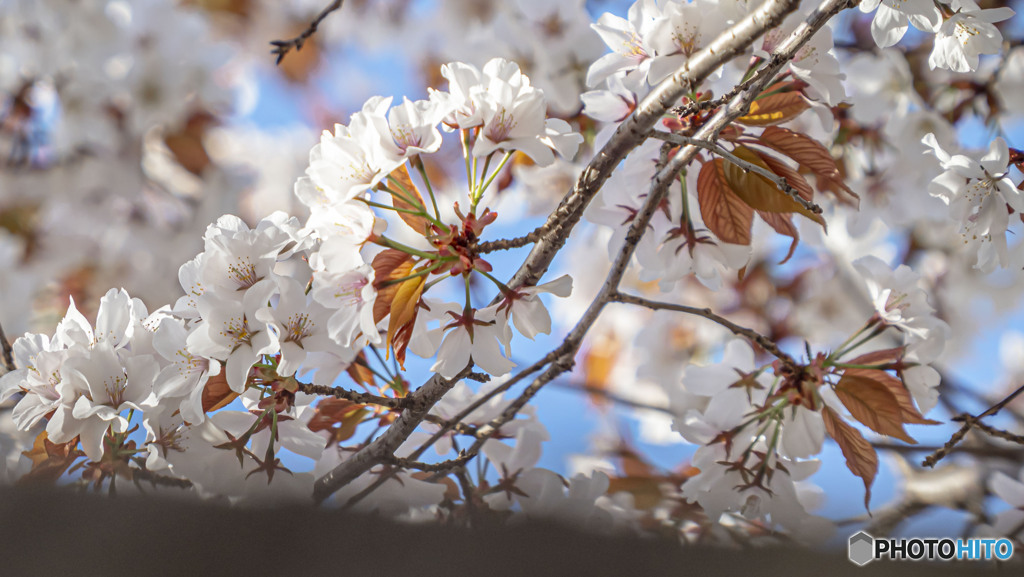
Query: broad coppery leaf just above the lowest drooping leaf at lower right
{"points": [[873, 404]]}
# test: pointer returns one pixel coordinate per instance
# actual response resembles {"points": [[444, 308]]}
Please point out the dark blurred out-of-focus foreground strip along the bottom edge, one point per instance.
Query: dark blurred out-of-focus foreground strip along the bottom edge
{"points": [[52, 534]]}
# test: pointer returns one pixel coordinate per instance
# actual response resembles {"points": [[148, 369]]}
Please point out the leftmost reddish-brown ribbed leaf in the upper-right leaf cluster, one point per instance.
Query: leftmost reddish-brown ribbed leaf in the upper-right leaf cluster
{"points": [[723, 213]]}
